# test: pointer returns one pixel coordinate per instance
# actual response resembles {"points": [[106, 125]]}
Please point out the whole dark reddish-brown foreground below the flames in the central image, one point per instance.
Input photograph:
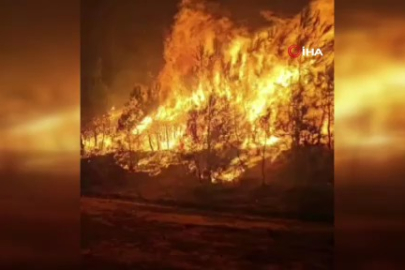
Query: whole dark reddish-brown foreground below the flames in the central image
{"points": [[132, 221]]}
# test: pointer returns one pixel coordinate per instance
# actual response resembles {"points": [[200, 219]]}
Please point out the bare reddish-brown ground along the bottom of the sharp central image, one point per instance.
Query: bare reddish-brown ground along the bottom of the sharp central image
{"points": [[120, 234]]}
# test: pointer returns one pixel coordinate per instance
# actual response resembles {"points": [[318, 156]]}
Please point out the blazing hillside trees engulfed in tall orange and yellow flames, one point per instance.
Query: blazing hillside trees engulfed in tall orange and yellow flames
{"points": [[228, 98]]}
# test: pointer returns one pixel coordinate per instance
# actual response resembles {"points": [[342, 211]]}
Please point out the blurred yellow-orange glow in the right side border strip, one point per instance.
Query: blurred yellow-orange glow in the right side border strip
{"points": [[371, 87]]}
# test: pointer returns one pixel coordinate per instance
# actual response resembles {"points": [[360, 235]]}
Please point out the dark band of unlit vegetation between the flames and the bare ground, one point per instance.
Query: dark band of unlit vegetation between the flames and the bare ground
{"points": [[301, 192]]}
